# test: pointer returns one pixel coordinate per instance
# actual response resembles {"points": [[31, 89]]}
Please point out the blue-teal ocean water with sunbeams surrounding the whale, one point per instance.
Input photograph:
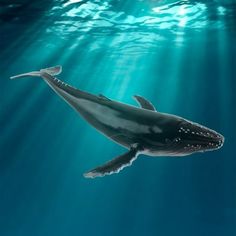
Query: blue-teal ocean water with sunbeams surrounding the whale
{"points": [[181, 55]]}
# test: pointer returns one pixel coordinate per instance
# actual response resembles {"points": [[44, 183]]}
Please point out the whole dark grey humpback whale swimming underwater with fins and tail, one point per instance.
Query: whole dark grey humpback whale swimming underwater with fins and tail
{"points": [[142, 130]]}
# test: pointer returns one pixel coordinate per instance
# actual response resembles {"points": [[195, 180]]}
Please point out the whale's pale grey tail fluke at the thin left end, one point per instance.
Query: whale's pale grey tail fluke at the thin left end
{"points": [[55, 70]]}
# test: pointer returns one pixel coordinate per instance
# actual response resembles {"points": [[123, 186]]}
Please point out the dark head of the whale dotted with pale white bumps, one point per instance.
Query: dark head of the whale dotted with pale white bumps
{"points": [[192, 137]]}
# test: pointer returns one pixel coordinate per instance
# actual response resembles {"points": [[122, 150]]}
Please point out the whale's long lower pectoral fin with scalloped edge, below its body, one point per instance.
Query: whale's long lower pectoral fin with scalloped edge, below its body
{"points": [[115, 165]]}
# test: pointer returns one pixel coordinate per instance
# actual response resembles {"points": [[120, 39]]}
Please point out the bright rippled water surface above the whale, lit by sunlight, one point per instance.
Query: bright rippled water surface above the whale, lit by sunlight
{"points": [[128, 23]]}
